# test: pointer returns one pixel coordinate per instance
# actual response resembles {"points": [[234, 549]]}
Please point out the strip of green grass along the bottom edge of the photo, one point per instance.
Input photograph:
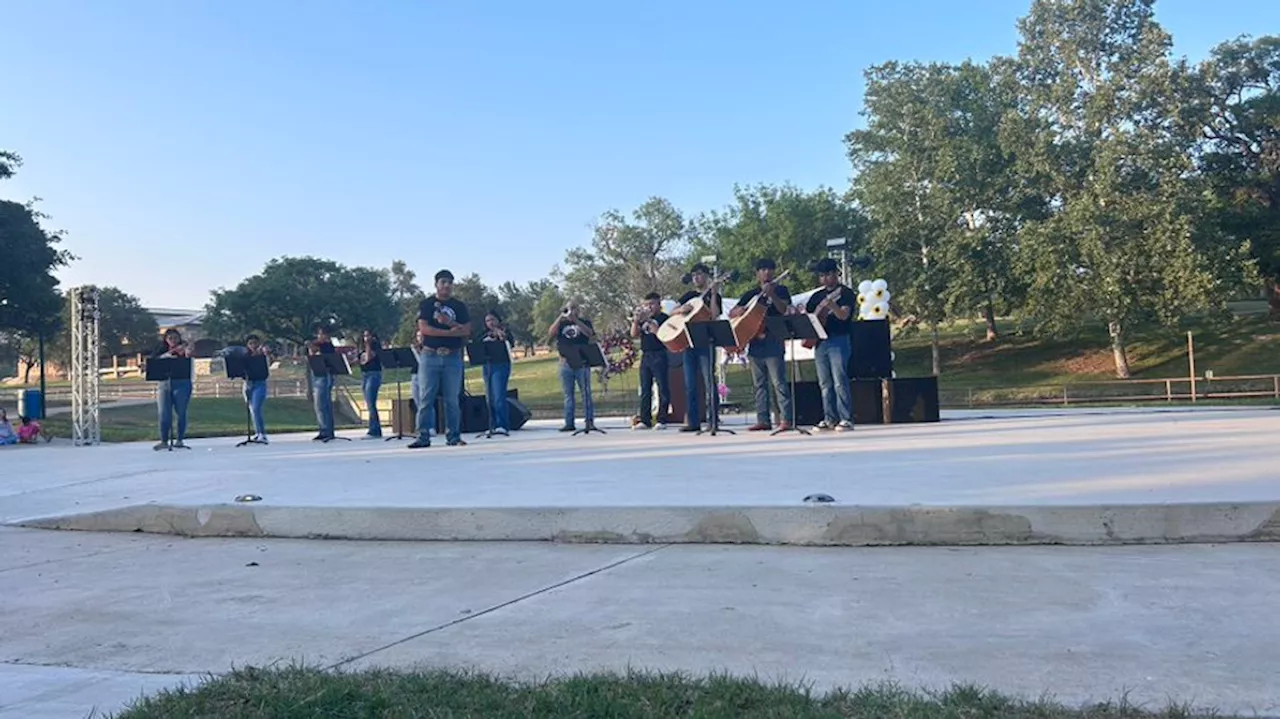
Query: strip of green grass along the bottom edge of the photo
{"points": [[296, 693]]}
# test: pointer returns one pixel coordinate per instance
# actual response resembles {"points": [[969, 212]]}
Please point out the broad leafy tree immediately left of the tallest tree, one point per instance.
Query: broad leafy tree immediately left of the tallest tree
{"points": [[938, 187]]}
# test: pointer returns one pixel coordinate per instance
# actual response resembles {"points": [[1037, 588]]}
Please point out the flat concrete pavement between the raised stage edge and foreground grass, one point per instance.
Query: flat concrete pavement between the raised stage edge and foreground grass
{"points": [[93, 620]]}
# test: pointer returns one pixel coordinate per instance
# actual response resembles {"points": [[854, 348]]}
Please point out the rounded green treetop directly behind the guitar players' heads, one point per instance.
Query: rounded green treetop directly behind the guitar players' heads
{"points": [[783, 223]]}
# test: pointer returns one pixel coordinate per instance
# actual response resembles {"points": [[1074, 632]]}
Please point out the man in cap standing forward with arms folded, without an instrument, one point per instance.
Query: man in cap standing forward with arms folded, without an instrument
{"points": [[445, 324]]}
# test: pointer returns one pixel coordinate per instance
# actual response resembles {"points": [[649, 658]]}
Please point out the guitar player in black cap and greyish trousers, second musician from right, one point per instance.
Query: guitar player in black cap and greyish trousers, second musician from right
{"points": [[766, 354]]}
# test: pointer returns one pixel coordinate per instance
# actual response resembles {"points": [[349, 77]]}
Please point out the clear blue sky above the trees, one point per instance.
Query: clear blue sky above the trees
{"points": [[182, 144]]}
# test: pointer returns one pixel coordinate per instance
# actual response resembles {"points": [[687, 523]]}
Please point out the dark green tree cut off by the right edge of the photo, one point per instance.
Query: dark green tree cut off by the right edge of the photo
{"points": [[1238, 112]]}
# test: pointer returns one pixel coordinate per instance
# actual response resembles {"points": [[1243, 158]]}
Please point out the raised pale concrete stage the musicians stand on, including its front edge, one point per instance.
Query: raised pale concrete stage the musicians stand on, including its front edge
{"points": [[1085, 477]]}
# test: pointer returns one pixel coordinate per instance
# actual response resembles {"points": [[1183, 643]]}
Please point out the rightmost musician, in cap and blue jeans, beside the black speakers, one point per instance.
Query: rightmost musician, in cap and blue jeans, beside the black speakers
{"points": [[834, 305]]}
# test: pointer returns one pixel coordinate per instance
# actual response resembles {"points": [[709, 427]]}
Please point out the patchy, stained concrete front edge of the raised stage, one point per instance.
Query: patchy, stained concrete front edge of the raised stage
{"points": [[808, 525]]}
